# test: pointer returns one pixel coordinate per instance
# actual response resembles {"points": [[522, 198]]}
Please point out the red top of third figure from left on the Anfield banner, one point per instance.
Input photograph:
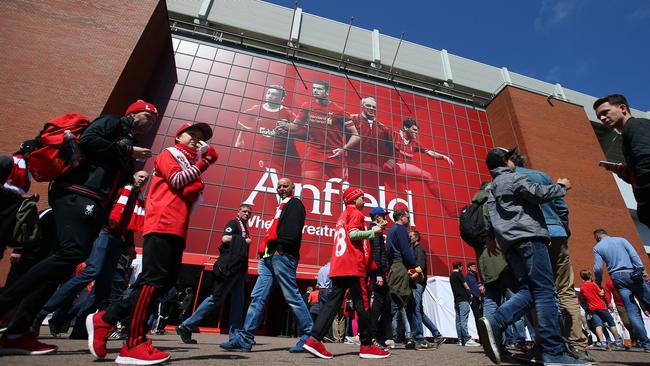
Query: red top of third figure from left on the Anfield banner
{"points": [[376, 145]]}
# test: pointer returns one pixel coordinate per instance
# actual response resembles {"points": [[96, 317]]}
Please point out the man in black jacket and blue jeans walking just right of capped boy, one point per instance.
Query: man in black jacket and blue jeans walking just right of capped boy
{"points": [[229, 273]]}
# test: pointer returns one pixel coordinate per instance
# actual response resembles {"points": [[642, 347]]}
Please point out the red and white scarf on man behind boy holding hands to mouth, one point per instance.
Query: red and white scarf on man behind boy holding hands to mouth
{"points": [[127, 212]]}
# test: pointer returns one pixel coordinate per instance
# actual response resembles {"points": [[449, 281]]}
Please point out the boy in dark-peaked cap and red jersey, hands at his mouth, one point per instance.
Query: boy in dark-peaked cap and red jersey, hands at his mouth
{"points": [[175, 190]]}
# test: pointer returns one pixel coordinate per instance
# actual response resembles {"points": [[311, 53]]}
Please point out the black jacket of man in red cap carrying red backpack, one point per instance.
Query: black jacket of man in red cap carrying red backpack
{"points": [[107, 144]]}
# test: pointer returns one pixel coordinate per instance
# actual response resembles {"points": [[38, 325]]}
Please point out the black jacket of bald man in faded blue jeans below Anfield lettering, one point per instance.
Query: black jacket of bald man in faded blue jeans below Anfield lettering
{"points": [[292, 220]]}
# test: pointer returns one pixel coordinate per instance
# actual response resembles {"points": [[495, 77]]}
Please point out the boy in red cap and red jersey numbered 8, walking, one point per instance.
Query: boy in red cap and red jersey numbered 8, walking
{"points": [[350, 260]]}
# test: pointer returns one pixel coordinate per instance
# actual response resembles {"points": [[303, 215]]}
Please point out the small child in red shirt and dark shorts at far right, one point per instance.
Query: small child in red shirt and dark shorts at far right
{"points": [[592, 294]]}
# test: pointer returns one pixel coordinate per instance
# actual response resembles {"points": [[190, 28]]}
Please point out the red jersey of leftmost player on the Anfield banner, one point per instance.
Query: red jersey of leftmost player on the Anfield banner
{"points": [[263, 122]]}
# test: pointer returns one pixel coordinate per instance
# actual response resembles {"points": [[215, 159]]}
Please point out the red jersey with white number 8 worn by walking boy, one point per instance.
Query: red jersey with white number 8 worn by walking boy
{"points": [[348, 257]]}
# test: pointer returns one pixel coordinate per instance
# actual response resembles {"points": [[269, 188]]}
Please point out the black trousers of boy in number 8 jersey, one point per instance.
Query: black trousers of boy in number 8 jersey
{"points": [[327, 313]]}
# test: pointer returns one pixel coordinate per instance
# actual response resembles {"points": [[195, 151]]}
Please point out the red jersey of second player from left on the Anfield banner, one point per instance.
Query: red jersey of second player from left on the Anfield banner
{"points": [[326, 125]]}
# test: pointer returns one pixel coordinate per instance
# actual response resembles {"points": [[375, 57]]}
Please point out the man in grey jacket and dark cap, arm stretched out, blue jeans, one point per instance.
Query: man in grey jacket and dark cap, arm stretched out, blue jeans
{"points": [[519, 228]]}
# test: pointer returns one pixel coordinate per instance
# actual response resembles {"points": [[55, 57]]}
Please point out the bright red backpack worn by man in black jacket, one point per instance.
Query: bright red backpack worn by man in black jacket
{"points": [[48, 158]]}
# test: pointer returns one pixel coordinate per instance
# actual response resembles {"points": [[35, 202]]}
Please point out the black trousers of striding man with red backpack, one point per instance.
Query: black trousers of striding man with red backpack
{"points": [[78, 221]]}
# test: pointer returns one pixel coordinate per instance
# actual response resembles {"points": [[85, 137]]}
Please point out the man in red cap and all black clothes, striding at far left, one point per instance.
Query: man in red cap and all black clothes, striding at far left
{"points": [[79, 200]]}
